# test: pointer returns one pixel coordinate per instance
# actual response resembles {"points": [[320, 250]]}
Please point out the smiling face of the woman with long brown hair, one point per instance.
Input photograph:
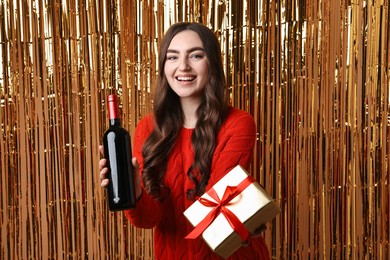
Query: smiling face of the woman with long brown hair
{"points": [[186, 67]]}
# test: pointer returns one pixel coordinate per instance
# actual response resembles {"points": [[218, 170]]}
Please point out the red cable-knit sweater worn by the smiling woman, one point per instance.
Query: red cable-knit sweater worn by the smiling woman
{"points": [[235, 142]]}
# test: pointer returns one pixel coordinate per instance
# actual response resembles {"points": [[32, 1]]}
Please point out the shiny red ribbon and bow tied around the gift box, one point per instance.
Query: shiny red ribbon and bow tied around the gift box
{"points": [[220, 207]]}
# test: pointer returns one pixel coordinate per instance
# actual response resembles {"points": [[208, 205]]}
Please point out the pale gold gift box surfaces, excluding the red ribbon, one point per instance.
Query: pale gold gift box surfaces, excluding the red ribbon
{"points": [[253, 207]]}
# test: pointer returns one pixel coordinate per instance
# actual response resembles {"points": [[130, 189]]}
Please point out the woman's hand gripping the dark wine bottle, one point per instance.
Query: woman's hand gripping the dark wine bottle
{"points": [[104, 170]]}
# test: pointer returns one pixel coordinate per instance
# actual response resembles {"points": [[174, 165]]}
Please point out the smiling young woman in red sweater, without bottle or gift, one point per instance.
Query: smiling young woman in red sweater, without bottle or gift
{"points": [[192, 140]]}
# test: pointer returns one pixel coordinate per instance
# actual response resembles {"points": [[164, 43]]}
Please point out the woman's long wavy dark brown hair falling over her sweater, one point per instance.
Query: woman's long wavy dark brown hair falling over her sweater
{"points": [[168, 116]]}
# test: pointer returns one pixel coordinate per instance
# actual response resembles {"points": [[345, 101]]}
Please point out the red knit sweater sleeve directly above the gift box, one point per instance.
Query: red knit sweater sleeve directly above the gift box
{"points": [[236, 141]]}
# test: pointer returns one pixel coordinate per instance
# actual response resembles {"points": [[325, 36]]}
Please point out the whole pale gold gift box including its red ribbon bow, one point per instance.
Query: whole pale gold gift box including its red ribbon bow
{"points": [[230, 212]]}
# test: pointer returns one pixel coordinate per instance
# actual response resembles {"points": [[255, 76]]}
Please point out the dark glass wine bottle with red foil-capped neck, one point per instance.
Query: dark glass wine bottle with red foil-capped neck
{"points": [[117, 151]]}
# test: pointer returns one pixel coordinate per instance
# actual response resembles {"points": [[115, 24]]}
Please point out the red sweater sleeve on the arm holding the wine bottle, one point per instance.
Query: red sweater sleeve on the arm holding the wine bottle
{"points": [[148, 211]]}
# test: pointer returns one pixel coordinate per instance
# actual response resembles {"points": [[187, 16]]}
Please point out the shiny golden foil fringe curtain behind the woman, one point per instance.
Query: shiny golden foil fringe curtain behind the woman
{"points": [[314, 74]]}
